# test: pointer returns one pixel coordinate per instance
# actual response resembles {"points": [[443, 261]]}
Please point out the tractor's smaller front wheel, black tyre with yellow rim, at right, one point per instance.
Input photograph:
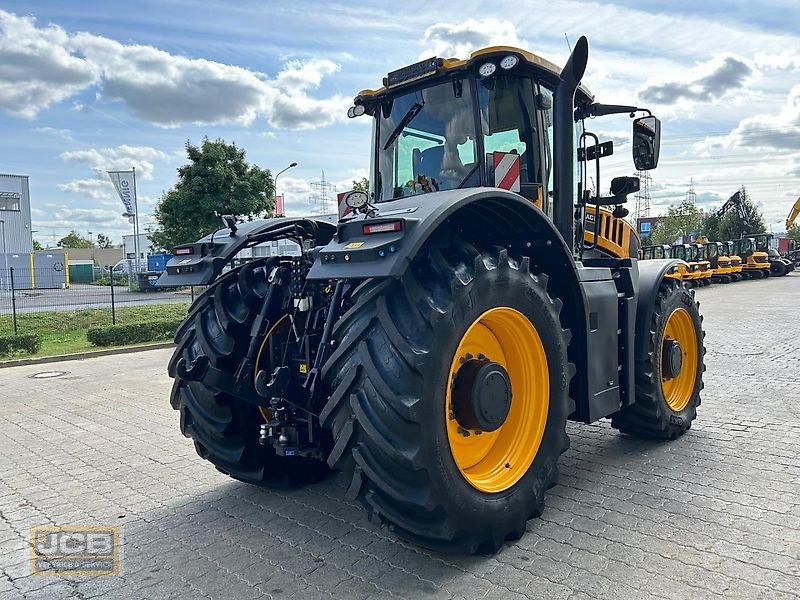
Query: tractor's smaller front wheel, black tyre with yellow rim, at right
{"points": [[669, 377]]}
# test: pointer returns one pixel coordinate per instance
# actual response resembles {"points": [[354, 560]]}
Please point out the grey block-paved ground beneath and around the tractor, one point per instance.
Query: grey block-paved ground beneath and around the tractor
{"points": [[716, 513]]}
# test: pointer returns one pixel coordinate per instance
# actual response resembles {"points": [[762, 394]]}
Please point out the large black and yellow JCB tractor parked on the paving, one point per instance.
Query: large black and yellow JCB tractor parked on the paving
{"points": [[434, 342]]}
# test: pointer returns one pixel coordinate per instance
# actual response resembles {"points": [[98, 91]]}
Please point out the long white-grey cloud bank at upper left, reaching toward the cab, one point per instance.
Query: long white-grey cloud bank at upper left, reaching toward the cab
{"points": [[43, 65]]}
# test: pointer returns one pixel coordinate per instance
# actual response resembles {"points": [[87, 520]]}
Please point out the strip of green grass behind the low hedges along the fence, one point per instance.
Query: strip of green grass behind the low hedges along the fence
{"points": [[64, 332]]}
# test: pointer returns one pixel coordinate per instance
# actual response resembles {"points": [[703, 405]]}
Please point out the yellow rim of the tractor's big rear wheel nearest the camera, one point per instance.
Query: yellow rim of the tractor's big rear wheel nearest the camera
{"points": [[494, 461]]}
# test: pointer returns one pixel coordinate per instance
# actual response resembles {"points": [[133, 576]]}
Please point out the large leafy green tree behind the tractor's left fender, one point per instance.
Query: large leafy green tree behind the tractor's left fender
{"points": [[216, 181]]}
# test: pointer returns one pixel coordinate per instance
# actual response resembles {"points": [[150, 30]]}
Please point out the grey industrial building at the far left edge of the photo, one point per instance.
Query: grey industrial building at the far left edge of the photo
{"points": [[15, 213]]}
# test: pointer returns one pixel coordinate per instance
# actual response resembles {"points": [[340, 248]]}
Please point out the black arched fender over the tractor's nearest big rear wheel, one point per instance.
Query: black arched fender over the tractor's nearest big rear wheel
{"points": [[480, 215]]}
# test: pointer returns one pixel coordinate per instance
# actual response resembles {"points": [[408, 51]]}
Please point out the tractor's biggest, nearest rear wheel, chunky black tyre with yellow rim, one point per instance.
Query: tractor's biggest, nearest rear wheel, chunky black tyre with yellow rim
{"points": [[398, 432]]}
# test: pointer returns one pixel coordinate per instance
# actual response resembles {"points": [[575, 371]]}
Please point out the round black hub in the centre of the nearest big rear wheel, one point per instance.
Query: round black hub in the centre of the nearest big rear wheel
{"points": [[481, 395]]}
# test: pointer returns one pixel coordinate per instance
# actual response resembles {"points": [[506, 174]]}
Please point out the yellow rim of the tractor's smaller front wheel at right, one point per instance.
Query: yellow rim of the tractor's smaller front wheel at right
{"points": [[678, 390]]}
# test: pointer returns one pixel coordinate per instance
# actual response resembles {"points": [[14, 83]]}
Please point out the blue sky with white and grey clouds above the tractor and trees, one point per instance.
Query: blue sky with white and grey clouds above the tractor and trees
{"points": [[128, 83]]}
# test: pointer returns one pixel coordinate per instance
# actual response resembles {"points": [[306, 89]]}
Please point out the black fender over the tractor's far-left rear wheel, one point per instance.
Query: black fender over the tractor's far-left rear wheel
{"points": [[206, 258]]}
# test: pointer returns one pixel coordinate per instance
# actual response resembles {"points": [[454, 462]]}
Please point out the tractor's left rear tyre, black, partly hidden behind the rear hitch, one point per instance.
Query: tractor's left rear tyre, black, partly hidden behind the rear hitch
{"points": [[224, 427]]}
